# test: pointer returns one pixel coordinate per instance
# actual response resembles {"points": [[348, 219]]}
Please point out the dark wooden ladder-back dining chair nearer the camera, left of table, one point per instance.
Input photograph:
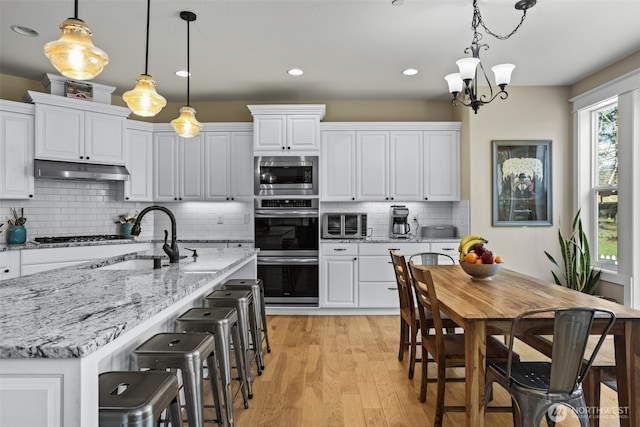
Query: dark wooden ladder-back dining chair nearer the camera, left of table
{"points": [[447, 350]]}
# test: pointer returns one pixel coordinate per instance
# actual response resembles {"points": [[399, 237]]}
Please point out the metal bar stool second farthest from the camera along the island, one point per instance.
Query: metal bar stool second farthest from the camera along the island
{"points": [[248, 323]]}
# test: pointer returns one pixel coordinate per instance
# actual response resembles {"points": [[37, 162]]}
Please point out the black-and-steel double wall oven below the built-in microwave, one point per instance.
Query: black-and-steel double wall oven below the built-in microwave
{"points": [[287, 233]]}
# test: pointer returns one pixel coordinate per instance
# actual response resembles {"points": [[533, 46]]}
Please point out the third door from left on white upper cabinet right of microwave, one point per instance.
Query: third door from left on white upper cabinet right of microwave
{"points": [[405, 166]]}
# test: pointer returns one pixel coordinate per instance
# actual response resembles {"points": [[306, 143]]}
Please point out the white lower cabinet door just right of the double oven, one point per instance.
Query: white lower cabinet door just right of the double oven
{"points": [[339, 281]]}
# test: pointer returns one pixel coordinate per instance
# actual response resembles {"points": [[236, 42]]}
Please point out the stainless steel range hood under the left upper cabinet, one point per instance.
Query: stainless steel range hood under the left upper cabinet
{"points": [[67, 170]]}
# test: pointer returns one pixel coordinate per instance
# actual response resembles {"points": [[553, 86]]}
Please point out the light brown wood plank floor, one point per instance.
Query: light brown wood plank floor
{"points": [[343, 371]]}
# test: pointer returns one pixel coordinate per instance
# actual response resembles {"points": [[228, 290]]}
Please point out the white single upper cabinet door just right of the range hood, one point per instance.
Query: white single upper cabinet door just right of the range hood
{"points": [[139, 162]]}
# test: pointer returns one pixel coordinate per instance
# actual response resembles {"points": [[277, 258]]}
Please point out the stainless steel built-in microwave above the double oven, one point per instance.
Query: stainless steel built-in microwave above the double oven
{"points": [[286, 176]]}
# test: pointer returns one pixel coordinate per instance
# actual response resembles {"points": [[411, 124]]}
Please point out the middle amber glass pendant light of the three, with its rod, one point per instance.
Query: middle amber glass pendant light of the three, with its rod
{"points": [[143, 100]]}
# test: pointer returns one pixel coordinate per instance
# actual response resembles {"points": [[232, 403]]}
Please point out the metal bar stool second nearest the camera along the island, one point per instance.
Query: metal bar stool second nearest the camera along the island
{"points": [[186, 352]]}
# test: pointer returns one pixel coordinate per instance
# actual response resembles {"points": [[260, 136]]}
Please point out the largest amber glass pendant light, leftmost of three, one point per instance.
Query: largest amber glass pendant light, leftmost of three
{"points": [[74, 54]]}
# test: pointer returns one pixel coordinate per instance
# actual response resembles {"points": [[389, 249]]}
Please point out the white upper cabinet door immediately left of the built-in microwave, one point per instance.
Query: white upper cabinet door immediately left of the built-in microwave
{"points": [[241, 173]]}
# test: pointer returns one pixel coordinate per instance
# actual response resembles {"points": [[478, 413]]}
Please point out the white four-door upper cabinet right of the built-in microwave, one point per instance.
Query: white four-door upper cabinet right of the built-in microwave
{"points": [[390, 161]]}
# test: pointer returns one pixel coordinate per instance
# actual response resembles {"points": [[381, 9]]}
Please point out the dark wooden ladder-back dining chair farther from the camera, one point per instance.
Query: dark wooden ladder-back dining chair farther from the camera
{"points": [[409, 318]]}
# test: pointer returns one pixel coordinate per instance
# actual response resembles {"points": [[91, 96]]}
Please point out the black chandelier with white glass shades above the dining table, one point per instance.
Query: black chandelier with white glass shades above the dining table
{"points": [[464, 84]]}
